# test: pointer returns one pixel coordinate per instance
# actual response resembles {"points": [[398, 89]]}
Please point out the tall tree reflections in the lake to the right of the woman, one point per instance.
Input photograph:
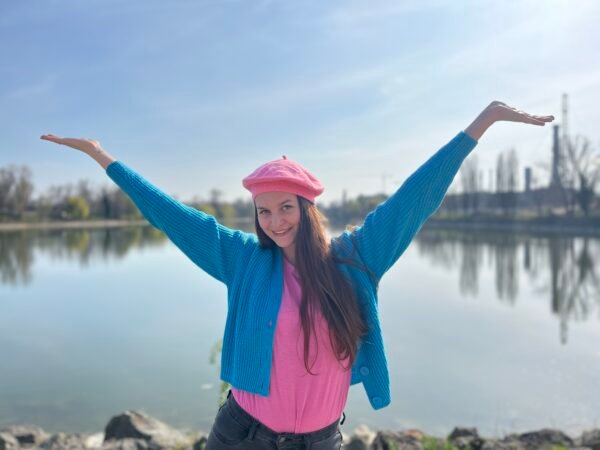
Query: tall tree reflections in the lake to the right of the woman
{"points": [[563, 268]]}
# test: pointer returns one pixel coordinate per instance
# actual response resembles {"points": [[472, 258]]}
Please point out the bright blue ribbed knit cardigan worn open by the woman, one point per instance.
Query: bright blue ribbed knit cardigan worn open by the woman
{"points": [[254, 276]]}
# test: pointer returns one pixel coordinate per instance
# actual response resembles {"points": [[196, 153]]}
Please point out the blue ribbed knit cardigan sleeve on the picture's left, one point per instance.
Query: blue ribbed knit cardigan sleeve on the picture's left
{"points": [[210, 245]]}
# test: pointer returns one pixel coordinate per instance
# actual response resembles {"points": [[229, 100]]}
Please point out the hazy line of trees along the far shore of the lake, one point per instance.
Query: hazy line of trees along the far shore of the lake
{"points": [[578, 171]]}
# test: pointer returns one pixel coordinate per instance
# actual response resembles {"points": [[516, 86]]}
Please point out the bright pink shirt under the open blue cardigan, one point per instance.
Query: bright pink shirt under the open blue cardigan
{"points": [[299, 402]]}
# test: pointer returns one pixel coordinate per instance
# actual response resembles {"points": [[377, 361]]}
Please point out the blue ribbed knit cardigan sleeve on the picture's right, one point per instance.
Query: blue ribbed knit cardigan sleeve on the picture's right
{"points": [[388, 230]]}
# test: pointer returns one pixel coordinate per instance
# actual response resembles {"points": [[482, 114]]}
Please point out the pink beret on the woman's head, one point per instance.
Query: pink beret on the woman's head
{"points": [[283, 175]]}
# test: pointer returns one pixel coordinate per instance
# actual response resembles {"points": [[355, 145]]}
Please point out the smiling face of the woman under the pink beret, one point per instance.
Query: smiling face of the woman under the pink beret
{"points": [[279, 216]]}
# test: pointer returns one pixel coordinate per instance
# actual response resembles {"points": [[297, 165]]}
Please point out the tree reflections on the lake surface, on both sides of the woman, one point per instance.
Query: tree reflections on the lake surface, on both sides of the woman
{"points": [[562, 268]]}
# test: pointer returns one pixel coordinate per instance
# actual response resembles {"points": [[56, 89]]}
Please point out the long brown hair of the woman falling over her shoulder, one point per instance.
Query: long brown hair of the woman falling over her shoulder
{"points": [[324, 287]]}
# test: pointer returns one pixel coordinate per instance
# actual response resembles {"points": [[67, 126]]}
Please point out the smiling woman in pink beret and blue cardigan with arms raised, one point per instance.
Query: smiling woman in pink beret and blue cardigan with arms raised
{"points": [[302, 321]]}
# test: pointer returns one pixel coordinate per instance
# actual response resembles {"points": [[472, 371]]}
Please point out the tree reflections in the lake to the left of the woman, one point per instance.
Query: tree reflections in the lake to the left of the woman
{"points": [[17, 248]]}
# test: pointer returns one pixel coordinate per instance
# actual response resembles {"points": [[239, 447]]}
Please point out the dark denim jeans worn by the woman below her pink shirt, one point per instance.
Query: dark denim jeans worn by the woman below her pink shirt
{"points": [[235, 428]]}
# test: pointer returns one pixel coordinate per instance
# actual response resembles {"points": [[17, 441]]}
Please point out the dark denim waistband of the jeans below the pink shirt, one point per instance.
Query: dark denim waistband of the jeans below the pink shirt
{"points": [[258, 427]]}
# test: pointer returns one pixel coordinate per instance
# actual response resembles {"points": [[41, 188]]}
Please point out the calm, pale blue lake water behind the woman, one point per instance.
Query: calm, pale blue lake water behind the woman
{"points": [[496, 331]]}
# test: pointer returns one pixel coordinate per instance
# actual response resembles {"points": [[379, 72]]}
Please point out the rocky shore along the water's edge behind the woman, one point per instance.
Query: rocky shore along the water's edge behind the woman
{"points": [[135, 430]]}
